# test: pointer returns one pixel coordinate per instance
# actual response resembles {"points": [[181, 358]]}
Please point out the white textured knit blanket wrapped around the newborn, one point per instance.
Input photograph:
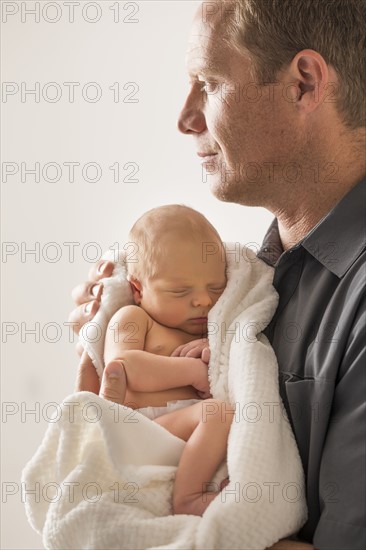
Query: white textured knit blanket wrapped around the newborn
{"points": [[105, 473]]}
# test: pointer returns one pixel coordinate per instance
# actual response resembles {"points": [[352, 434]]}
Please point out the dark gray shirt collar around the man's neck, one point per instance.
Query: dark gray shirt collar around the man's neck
{"points": [[336, 241]]}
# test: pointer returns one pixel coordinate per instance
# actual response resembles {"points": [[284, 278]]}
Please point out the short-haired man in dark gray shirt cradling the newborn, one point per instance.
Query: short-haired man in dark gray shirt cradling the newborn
{"points": [[276, 108]]}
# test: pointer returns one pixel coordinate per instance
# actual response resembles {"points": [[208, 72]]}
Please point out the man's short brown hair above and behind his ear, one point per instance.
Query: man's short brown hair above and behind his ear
{"points": [[274, 31]]}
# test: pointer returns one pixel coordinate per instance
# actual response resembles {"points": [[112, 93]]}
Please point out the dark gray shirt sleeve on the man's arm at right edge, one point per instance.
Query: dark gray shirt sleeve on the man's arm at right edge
{"points": [[342, 483]]}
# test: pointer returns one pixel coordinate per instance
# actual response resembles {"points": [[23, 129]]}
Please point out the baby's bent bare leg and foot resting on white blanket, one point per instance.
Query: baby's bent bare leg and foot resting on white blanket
{"points": [[205, 426]]}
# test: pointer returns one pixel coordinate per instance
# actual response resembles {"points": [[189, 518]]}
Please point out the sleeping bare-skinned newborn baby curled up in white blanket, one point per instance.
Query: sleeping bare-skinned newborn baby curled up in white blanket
{"points": [[175, 284]]}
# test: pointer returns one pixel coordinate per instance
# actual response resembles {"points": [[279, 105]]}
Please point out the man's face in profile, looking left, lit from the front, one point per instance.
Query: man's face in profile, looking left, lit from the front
{"points": [[243, 131]]}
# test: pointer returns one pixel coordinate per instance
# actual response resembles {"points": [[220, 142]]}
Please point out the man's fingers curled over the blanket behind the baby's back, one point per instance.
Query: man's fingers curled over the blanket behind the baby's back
{"points": [[87, 295]]}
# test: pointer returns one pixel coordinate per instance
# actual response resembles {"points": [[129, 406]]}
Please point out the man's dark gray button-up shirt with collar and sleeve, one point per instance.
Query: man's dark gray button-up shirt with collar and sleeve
{"points": [[318, 334]]}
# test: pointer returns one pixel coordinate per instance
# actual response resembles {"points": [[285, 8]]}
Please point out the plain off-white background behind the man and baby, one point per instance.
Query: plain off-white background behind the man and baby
{"points": [[146, 59]]}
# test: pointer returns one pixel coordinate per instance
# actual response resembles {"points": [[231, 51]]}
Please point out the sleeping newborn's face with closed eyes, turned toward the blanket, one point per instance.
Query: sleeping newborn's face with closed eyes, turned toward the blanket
{"points": [[191, 278]]}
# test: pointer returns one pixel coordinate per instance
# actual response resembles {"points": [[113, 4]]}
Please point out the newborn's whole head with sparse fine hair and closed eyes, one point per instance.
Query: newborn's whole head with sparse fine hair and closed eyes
{"points": [[179, 270]]}
